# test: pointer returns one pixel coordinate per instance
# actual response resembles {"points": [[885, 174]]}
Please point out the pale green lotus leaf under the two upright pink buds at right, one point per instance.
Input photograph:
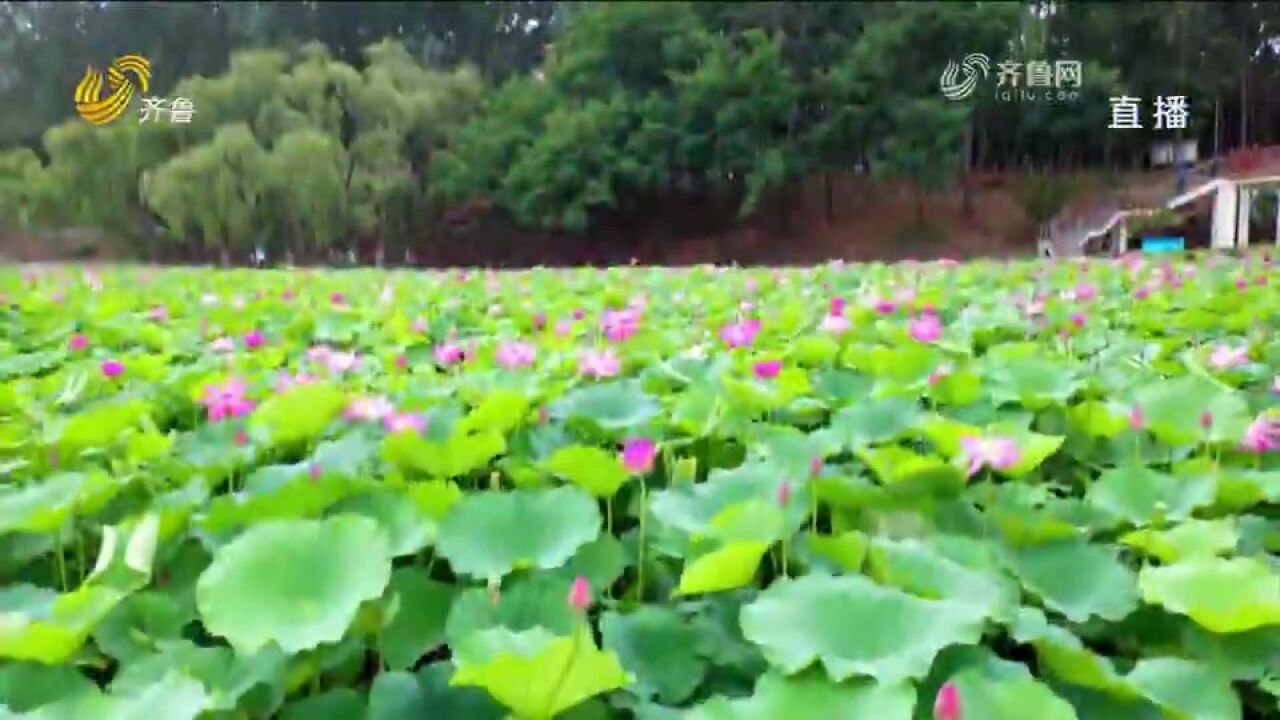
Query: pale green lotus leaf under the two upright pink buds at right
{"points": [[1144, 496]]}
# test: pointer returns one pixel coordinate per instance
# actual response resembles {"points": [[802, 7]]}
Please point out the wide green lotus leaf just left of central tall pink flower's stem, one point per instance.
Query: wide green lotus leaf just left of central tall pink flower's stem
{"points": [[488, 535]]}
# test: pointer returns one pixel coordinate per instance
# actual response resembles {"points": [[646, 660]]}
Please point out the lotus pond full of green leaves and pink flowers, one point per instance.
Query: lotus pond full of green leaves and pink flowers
{"points": [[989, 491]]}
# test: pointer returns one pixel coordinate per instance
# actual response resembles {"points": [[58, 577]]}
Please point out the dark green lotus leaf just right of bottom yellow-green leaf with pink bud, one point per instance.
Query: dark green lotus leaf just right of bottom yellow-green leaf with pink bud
{"points": [[660, 649]]}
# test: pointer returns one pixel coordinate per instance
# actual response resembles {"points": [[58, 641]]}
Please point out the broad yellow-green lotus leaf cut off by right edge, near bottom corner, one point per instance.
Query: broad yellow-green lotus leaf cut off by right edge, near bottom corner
{"points": [[1223, 595]]}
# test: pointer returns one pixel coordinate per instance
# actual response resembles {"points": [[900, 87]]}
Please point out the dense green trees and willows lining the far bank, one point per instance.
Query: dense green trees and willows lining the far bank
{"points": [[319, 126]]}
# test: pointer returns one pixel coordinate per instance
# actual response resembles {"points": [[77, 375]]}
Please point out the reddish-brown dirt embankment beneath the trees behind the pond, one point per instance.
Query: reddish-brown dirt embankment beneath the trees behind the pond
{"points": [[857, 220]]}
